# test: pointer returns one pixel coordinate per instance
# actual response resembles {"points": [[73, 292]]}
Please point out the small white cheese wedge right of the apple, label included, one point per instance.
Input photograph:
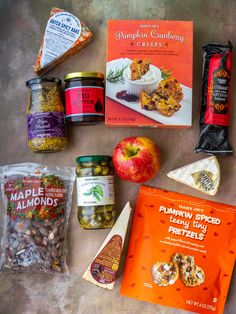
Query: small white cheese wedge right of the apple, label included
{"points": [[202, 175]]}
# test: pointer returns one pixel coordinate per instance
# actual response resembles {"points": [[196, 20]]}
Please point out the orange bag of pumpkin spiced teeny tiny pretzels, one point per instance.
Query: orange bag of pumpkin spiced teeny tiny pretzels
{"points": [[181, 252]]}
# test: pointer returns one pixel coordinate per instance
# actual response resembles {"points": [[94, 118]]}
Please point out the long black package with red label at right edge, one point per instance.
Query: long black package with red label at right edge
{"points": [[215, 108]]}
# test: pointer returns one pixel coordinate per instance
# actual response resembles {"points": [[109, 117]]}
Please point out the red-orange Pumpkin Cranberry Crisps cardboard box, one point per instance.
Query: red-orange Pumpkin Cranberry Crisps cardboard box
{"points": [[149, 73]]}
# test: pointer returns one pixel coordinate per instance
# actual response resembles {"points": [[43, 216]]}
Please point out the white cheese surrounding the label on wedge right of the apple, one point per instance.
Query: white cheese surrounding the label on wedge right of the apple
{"points": [[185, 174]]}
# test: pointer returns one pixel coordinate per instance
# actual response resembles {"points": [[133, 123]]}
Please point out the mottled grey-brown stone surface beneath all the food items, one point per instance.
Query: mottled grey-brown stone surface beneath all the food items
{"points": [[22, 23]]}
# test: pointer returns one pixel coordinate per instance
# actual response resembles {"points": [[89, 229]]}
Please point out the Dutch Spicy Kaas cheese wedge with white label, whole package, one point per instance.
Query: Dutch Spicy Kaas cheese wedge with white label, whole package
{"points": [[64, 35]]}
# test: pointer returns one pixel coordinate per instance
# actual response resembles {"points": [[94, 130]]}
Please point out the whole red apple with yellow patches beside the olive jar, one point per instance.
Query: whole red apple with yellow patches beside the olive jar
{"points": [[136, 159]]}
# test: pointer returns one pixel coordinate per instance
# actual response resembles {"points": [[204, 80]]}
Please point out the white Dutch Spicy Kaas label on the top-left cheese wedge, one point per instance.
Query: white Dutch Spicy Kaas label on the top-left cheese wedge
{"points": [[62, 30]]}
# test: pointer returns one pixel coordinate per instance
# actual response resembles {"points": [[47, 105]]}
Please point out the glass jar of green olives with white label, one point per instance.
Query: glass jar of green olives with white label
{"points": [[95, 192]]}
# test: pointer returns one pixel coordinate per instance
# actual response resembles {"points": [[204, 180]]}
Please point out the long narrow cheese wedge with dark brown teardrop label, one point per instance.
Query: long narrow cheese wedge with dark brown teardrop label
{"points": [[103, 270]]}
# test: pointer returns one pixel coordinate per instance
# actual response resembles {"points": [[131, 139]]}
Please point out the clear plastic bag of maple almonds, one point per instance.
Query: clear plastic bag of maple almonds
{"points": [[36, 202]]}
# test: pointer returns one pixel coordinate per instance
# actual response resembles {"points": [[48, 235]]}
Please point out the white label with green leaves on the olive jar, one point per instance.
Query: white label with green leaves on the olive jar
{"points": [[95, 191]]}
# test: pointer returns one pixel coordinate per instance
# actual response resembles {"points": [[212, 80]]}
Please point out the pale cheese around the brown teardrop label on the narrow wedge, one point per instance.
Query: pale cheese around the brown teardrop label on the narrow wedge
{"points": [[119, 228]]}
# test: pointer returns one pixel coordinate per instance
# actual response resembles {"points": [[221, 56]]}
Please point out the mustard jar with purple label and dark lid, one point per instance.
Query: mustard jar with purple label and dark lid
{"points": [[45, 115]]}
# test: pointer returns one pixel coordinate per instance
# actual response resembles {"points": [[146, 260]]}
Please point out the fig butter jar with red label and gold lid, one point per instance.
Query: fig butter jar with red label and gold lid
{"points": [[84, 95]]}
